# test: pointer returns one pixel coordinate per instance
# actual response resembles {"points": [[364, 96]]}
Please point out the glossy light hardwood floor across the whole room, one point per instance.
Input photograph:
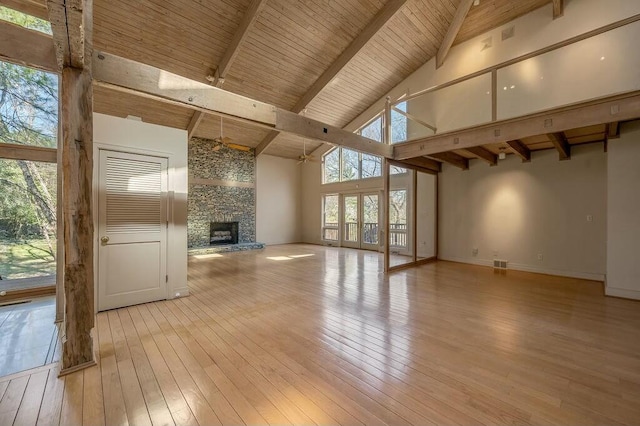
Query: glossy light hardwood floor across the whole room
{"points": [[317, 335]]}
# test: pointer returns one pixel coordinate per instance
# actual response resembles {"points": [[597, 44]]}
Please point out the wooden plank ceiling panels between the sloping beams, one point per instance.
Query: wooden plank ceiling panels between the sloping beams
{"points": [[286, 48]]}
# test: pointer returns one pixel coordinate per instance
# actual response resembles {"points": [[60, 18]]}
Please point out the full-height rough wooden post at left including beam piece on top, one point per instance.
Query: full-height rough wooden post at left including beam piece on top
{"points": [[72, 26]]}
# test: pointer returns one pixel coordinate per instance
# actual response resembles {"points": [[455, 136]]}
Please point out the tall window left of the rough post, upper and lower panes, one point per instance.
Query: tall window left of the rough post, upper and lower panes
{"points": [[28, 198]]}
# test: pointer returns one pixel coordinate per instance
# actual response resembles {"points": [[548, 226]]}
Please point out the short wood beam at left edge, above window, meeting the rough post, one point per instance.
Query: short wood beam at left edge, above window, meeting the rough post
{"points": [[27, 47]]}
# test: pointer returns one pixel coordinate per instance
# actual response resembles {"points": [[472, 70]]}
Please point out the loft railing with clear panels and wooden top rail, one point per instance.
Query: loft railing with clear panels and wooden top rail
{"points": [[534, 82]]}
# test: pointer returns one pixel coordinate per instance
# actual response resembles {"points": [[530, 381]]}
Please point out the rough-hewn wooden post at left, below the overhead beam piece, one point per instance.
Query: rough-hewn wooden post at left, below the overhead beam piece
{"points": [[77, 166]]}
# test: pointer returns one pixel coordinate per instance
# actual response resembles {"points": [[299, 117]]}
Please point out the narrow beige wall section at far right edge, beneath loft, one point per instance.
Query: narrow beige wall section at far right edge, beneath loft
{"points": [[623, 214]]}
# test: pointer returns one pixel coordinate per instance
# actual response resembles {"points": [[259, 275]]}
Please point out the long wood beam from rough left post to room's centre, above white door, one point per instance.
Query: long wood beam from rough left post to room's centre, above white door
{"points": [[133, 77]]}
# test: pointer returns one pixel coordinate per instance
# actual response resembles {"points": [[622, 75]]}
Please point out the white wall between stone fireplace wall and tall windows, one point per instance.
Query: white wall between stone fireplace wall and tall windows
{"points": [[278, 206]]}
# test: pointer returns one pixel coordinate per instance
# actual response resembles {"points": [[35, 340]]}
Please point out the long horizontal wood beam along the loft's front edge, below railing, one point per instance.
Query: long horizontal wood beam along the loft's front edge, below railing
{"points": [[599, 111]]}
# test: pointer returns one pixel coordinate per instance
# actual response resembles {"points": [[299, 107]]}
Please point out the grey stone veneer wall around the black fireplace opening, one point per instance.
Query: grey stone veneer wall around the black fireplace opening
{"points": [[216, 203]]}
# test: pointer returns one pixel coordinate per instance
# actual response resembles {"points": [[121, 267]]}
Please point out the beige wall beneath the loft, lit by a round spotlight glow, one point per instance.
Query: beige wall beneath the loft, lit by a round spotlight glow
{"points": [[516, 211]]}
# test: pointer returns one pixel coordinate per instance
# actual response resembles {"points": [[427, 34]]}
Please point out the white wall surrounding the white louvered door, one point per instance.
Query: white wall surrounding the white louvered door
{"points": [[143, 138]]}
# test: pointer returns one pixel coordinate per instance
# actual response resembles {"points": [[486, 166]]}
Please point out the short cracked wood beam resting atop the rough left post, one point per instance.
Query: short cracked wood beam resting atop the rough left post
{"points": [[66, 17]]}
